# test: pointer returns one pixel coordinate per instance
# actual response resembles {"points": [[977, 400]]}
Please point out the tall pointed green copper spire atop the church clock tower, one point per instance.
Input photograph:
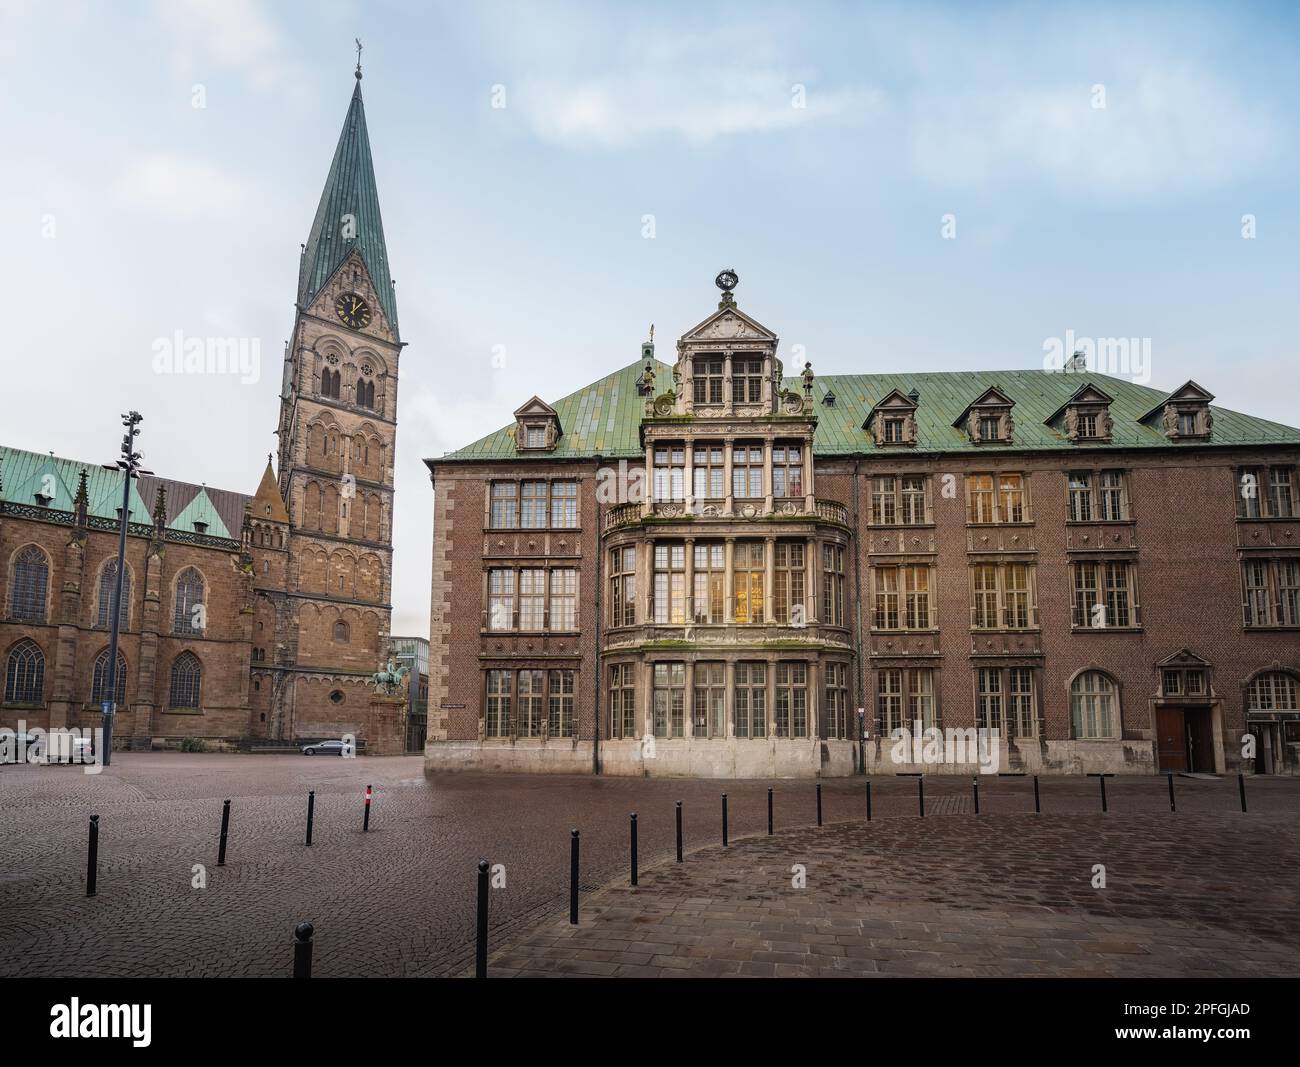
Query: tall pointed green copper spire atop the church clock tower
{"points": [[350, 190]]}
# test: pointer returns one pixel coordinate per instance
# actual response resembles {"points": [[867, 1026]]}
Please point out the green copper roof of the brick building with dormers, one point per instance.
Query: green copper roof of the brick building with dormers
{"points": [[605, 418]]}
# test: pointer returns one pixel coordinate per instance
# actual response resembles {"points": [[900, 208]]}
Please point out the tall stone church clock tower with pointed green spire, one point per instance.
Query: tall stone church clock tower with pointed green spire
{"points": [[327, 600]]}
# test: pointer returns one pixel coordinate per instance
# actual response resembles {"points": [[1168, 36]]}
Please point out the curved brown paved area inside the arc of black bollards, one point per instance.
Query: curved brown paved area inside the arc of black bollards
{"points": [[1195, 896]]}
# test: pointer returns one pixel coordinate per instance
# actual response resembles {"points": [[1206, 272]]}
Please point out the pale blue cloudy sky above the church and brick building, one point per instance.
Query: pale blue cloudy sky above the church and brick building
{"points": [[898, 186]]}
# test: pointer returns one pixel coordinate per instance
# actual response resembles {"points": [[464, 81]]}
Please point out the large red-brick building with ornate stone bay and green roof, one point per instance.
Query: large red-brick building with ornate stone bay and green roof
{"points": [[714, 569]]}
